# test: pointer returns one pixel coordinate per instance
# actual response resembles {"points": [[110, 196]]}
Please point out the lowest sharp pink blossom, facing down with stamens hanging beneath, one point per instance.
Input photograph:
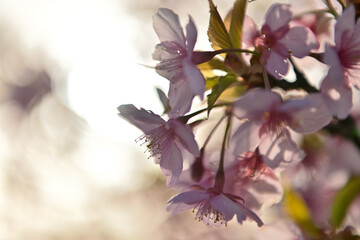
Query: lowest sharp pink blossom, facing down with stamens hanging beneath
{"points": [[213, 207]]}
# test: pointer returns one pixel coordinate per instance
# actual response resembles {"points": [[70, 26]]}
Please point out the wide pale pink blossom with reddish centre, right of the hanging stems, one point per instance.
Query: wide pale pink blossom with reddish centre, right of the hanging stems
{"points": [[267, 122]]}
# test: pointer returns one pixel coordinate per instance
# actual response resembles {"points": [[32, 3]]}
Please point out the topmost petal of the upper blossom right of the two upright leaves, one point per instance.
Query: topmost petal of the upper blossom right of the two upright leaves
{"points": [[278, 15]]}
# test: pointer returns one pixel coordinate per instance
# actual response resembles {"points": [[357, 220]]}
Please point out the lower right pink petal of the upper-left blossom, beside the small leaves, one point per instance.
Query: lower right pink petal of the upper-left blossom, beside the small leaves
{"points": [[194, 77]]}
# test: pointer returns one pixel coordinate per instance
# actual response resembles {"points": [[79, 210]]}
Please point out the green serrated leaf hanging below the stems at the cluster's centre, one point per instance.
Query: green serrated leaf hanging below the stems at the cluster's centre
{"points": [[222, 84]]}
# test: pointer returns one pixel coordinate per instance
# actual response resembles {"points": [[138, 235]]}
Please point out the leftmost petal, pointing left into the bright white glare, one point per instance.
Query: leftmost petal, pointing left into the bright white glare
{"points": [[142, 119]]}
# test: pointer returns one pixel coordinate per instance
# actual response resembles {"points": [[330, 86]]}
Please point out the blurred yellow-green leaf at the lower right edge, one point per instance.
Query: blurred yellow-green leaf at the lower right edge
{"points": [[343, 200]]}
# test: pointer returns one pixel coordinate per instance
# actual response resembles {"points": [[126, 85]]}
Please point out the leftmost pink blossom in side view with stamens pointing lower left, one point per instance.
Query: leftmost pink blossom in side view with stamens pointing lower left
{"points": [[164, 140]]}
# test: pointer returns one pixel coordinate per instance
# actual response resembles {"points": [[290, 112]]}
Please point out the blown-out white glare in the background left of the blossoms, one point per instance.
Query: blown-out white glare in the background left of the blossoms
{"points": [[93, 43]]}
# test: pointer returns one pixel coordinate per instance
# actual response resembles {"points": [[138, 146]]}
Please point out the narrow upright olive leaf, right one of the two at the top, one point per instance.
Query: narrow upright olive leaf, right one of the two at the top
{"points": [[237, 20]]}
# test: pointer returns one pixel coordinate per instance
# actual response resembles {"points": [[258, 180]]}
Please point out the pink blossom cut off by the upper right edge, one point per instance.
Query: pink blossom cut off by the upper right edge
{"points": [[344, 62]]}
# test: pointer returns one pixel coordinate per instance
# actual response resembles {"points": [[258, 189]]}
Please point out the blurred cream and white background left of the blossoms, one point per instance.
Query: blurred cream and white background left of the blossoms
{"points": [[69, 166]]}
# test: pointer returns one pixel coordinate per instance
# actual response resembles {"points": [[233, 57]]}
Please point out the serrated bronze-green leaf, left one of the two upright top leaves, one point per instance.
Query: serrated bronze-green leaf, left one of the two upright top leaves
{"points": [[218, 35]]}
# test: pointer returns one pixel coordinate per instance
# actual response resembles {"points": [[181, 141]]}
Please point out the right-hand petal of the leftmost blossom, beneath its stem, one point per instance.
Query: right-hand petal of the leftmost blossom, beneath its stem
{"points": [[185, 136]]}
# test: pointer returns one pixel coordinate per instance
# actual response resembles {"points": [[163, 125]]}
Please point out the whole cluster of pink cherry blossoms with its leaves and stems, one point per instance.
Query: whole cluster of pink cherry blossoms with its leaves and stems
{"points": [[262, 118]]}
